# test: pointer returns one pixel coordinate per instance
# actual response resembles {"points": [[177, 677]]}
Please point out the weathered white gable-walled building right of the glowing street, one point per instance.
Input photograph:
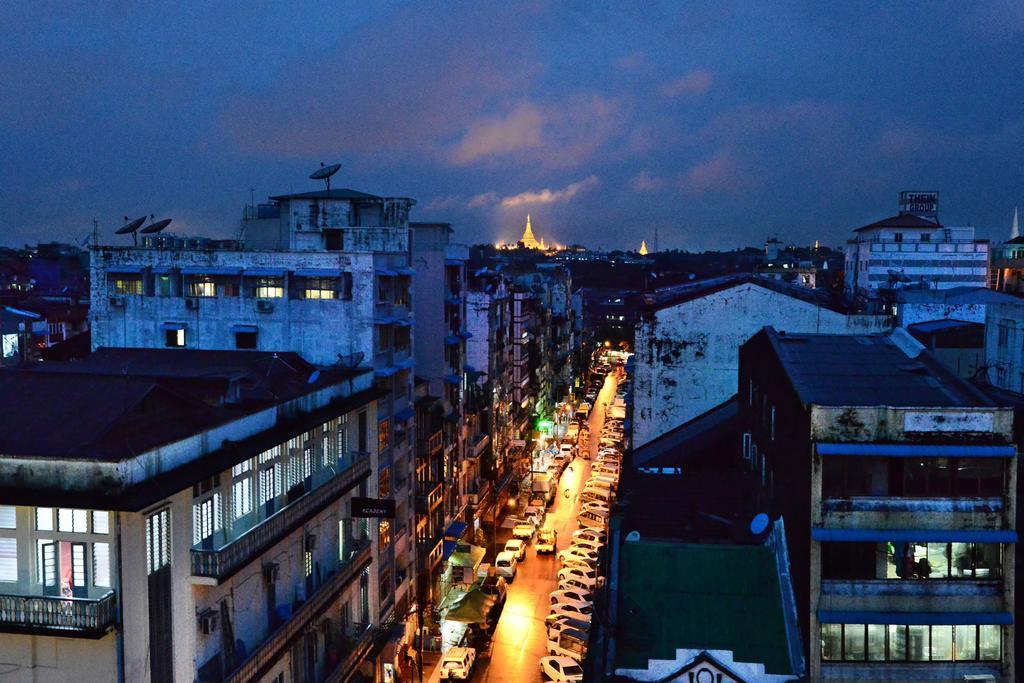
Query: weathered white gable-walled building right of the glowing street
{"points": [[689, 338]]}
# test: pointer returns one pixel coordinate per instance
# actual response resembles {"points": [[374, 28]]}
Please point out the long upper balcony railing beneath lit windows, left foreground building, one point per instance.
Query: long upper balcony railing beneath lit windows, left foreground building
{"points": [[224, 563]]}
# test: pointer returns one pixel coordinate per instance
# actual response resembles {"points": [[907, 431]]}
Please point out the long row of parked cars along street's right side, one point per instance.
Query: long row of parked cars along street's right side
{"points": [[581, 574]]}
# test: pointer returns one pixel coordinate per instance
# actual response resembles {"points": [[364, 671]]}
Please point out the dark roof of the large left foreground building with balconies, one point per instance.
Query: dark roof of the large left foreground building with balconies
{"points": [[120, 403]]}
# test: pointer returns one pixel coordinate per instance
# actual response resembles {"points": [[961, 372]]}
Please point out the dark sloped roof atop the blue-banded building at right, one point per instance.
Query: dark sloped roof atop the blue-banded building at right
{"points": [[860, 370]]}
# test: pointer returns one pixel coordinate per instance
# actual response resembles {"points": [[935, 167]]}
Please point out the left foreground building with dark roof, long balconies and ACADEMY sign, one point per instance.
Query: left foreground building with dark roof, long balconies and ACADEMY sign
{"points": [[188, 516]]}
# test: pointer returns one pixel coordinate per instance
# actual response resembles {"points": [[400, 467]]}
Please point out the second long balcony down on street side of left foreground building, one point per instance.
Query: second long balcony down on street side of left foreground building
{"points": [[270, 652]]}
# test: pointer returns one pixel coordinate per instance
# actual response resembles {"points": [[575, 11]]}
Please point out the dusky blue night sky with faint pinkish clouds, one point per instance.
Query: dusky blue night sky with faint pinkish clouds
{"points": [[717, 123]]}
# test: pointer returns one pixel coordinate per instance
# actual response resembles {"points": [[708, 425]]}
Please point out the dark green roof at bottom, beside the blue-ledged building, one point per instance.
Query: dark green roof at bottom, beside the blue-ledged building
{"points": [[718, 596]]}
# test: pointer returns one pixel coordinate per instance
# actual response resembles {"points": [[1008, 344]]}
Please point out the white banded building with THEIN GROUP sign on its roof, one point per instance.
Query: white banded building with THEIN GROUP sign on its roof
{"points": [[914, 247]]}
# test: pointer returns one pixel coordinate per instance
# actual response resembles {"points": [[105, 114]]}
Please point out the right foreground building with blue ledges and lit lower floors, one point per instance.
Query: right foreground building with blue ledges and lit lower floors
{"points": [[897, 482]]}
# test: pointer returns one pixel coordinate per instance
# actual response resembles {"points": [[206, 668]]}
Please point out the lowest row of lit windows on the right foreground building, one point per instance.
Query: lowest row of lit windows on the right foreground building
{"points": [[897, 643]]}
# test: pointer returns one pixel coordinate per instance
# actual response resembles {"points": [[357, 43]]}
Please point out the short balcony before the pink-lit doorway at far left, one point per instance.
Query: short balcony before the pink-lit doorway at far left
{"points": [[53, 616]]}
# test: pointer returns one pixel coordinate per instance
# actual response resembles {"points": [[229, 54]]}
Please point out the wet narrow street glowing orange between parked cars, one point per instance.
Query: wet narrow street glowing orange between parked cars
{"points": [[521, 639]]}
